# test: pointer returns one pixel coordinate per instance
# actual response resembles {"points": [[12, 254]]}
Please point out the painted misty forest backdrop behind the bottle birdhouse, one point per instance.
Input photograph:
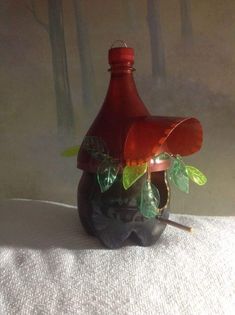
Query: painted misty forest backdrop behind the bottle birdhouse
{"points": [[53, 79]]}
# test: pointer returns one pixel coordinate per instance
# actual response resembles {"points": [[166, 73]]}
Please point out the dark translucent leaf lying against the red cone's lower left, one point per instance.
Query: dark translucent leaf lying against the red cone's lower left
{"points": [[96, 147]]}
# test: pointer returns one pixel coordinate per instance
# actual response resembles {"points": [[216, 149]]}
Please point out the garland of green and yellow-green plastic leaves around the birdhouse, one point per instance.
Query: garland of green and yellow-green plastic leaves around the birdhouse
{"points": [[148, 202]]}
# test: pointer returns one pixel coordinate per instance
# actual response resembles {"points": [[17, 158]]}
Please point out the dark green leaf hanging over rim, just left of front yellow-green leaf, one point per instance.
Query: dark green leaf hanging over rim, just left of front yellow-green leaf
{"points": [[107, 173]]}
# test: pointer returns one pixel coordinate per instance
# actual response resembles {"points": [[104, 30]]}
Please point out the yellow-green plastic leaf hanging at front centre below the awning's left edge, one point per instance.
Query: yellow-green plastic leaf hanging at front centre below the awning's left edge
{"points": [[132, 173]]}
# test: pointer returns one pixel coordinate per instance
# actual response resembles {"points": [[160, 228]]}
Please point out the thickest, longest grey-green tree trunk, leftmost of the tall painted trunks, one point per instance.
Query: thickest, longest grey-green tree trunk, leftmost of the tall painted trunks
{"points": [[65, 117]]}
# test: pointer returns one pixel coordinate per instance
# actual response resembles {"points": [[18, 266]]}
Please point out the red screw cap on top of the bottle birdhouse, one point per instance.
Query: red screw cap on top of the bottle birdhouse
{"points": [[119, 55]]}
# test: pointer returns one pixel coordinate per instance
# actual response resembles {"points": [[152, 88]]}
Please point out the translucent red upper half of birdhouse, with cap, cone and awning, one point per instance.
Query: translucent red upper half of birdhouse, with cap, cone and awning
{"points": [[131, 134]]}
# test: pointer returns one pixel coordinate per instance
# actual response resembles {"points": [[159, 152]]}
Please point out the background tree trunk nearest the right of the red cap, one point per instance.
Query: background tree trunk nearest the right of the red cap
{"points": [[156, 42]]}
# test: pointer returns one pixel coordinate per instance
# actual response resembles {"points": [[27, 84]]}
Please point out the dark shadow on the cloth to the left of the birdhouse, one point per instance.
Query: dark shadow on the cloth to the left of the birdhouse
{"points": [[42, 225]]}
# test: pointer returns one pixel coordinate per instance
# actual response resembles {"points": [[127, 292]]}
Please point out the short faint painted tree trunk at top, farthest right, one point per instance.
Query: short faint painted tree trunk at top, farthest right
{"points": [[186, 21]]}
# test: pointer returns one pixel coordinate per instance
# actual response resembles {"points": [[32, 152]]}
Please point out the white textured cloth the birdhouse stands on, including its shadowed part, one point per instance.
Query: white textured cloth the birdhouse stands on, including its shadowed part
{"points": [[48, 265]]}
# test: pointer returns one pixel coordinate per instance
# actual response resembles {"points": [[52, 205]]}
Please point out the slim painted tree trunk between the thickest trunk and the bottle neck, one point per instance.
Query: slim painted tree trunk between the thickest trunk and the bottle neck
{"points": [[87, 71]]}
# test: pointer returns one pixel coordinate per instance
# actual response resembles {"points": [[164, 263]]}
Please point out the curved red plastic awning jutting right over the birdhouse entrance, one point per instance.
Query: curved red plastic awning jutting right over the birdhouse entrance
{"points": [[153, 135]]}
